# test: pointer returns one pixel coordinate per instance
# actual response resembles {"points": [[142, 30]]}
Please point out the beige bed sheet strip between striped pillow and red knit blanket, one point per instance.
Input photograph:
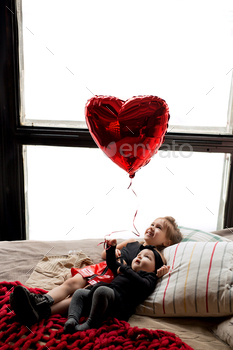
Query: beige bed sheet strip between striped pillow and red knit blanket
{"points": [[192, 331]]}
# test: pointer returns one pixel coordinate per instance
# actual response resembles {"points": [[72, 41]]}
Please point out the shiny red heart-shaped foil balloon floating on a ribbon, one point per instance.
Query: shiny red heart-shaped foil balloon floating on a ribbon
{"points": [[129, 132]]}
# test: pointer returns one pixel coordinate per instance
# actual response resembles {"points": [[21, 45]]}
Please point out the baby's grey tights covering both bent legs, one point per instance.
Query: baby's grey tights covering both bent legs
{"points": [[97, 309]]}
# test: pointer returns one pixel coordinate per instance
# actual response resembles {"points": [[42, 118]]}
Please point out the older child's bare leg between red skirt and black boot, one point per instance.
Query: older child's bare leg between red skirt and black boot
{"points": [[67, 288]]}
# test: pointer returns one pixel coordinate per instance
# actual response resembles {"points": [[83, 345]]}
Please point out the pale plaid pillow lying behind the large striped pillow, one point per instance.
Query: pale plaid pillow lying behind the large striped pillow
{"points": [[190, 234]]}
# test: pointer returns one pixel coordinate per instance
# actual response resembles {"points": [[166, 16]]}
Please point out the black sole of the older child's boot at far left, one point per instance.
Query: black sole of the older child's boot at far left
{"points": [[22, 306]]}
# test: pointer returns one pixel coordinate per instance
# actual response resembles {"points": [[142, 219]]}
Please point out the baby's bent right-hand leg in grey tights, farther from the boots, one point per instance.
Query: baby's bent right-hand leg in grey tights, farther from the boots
{"points": [[102, 299]]}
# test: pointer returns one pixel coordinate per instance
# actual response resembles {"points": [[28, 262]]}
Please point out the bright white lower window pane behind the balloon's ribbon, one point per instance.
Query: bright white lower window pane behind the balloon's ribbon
{"points": [[76, 193]]}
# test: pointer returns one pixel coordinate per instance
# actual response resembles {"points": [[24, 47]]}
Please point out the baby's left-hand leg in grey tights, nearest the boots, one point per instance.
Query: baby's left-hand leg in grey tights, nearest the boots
{"points": [[77, 305]]}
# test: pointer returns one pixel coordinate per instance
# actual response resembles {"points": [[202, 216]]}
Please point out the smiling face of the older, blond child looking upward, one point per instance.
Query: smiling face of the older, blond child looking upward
{"points": [[156, 234]]}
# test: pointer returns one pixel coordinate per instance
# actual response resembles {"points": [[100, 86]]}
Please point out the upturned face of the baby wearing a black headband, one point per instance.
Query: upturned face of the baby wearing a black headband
{"points": [[144, 261]]}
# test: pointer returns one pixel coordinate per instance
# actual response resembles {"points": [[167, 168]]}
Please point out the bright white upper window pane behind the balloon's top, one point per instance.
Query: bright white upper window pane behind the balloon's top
{"points": [[177, 50]]}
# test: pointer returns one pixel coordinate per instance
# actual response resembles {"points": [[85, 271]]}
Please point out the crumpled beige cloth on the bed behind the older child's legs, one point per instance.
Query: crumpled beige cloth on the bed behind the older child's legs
{"points": [[52, 271]]}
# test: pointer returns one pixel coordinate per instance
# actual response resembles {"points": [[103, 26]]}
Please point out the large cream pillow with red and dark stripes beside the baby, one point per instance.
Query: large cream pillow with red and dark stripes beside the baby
{"points": [[199, 282]]}
